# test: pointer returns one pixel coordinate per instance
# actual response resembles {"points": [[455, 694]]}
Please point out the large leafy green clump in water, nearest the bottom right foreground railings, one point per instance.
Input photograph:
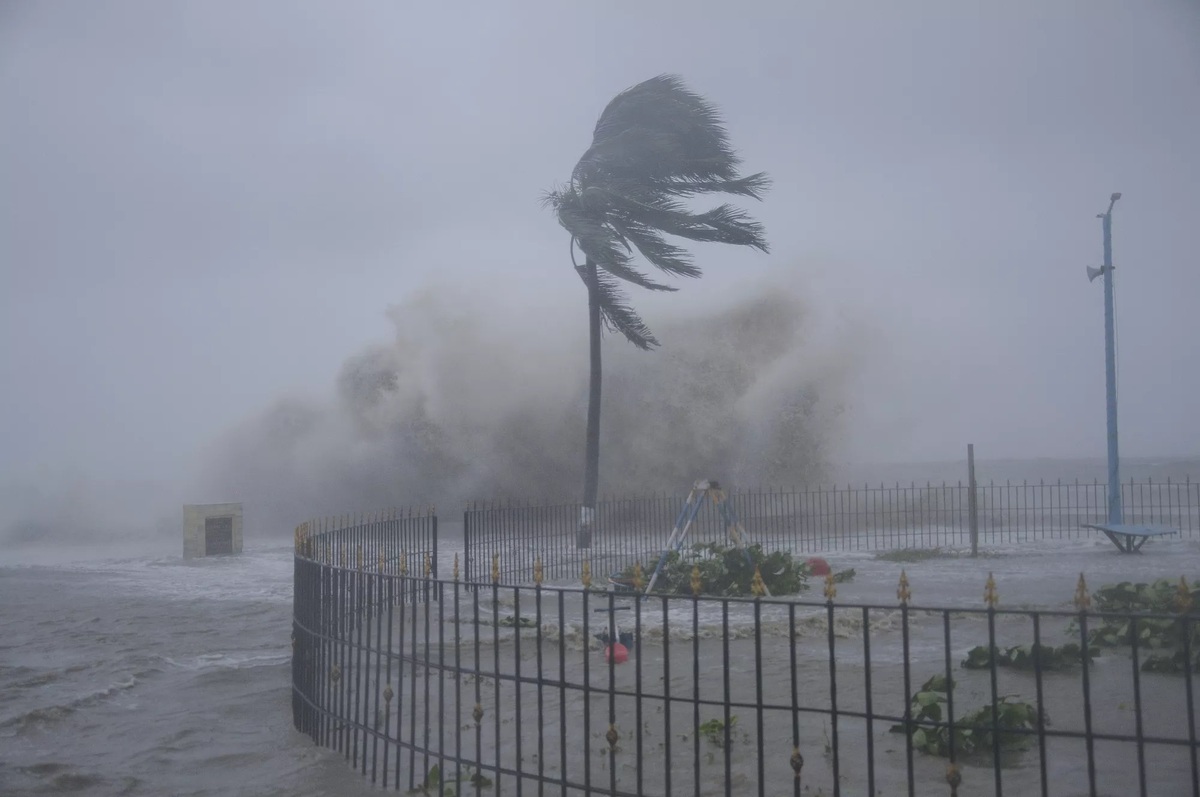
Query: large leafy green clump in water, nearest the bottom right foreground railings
{"points": [[974, 732]]}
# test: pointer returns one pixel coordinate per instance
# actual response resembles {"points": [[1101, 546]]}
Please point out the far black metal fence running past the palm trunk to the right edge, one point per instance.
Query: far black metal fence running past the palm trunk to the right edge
{"points": [[825, 519]]}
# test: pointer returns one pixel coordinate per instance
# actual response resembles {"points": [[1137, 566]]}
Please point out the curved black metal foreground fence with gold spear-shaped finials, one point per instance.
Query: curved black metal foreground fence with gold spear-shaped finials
{"points": [[497, 690]]}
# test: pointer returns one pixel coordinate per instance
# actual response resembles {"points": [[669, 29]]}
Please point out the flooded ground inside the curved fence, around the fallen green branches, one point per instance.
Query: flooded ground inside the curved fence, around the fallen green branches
{"points": [[710, 652]]}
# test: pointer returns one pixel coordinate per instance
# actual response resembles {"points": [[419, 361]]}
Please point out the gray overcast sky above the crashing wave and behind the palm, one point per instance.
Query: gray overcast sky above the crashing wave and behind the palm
{"points": [[207, 206]]}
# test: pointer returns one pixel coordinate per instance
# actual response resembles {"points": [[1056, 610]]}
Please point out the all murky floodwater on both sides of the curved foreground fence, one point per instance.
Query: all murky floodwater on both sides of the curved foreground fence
{"points": [[148, 675]]}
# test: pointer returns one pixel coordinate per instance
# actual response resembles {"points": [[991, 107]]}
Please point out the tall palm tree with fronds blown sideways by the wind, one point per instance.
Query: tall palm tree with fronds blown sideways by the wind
{"points": [[656, 146]]}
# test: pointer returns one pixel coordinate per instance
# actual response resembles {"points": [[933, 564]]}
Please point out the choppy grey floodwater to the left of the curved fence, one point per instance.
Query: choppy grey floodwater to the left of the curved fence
{"points": [[152, 676]]}
